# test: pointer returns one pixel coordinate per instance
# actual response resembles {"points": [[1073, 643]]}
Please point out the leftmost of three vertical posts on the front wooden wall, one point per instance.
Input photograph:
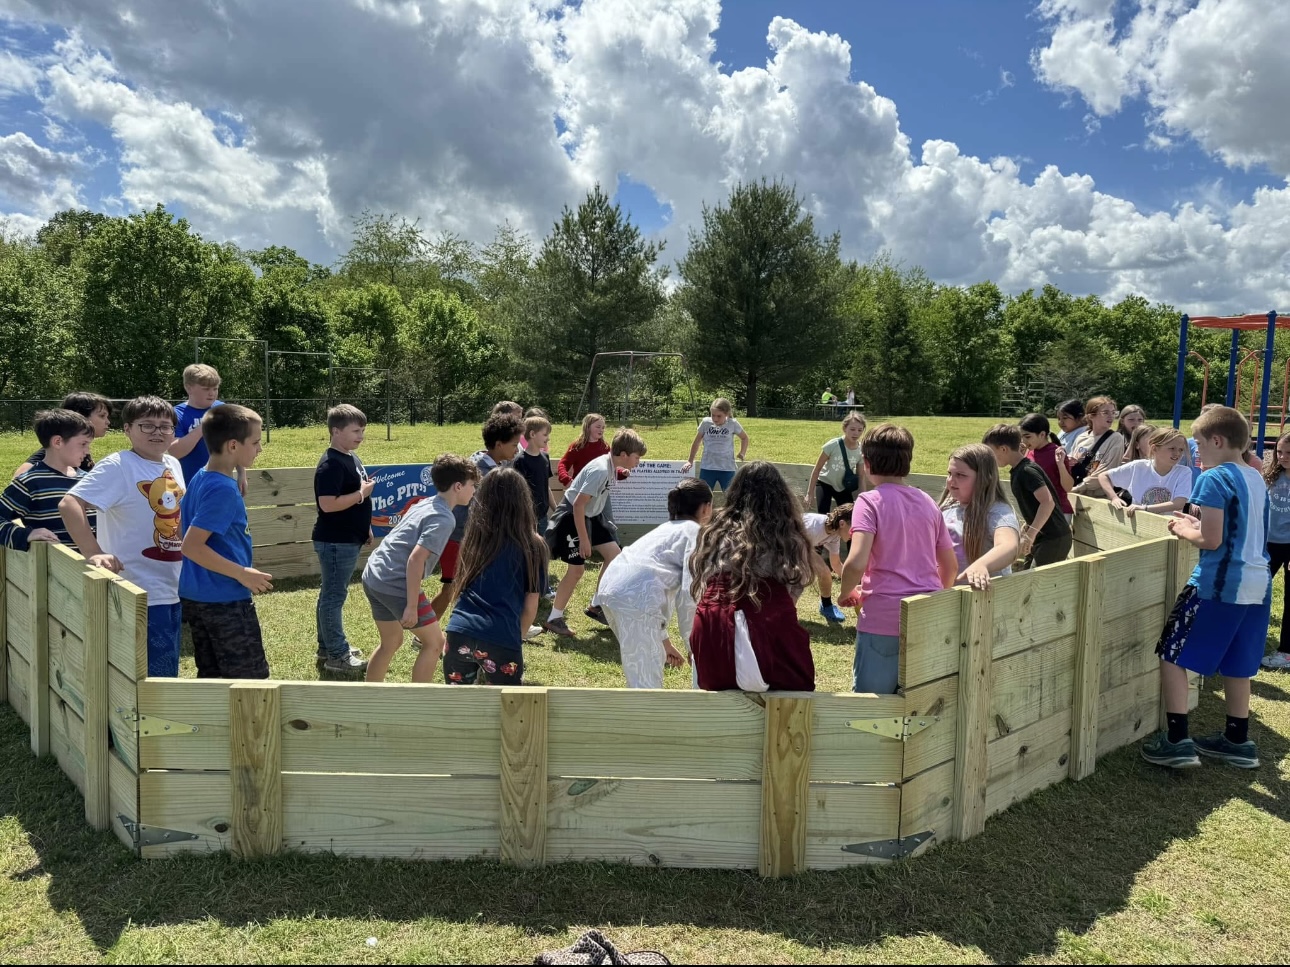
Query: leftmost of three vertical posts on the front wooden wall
{"points": [[256, 768]]}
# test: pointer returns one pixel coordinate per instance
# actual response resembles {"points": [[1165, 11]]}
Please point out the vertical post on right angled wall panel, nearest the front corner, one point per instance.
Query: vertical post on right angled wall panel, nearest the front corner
{"points": [[972, 759]]}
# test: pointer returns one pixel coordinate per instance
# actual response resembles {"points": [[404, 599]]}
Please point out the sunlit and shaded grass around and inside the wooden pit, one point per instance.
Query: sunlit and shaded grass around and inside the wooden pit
{"points": [[1132, 866]]}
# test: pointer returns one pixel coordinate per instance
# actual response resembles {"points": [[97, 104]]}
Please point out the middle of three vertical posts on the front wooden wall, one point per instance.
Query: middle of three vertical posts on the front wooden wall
{"points": [[524, 777]]}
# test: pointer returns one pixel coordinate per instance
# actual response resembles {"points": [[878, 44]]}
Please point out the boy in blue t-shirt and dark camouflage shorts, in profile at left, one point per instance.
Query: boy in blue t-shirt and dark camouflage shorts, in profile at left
{"points": [[217, 578]]}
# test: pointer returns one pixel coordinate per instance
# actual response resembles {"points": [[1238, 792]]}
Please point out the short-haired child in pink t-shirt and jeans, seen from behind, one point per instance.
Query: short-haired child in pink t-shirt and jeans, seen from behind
{"points": [[900, 547]]}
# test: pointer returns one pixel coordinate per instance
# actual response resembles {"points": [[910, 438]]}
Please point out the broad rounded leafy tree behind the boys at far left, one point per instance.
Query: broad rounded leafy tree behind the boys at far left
{"points": [[152, 288]]}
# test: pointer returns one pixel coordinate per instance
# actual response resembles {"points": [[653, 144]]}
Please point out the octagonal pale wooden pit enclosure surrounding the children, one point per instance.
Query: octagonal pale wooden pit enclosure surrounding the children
{"points": [[1007, 692]]}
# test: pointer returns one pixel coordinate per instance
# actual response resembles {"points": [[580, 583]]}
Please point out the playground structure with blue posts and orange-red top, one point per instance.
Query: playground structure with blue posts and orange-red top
{"points": [[1262, 360]]}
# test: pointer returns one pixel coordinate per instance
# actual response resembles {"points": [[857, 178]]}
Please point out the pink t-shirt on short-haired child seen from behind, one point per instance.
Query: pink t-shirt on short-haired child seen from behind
{"points": [[908, 532]]}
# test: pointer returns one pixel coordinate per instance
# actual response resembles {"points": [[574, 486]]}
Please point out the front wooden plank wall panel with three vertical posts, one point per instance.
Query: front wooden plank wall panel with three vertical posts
{"points": [[779, 783]]}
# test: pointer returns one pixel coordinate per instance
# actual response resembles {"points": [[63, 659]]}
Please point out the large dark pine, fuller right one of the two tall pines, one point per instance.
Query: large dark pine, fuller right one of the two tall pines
{"points": [[763, 291]]}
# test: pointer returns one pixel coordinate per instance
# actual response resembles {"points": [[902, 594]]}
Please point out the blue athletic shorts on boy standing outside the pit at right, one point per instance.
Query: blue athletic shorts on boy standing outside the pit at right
{"points": [[1211, 636]]}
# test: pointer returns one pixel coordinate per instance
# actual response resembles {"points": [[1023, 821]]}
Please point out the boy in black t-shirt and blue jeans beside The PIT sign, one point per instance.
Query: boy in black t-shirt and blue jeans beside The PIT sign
{"points": [[342, 492]]}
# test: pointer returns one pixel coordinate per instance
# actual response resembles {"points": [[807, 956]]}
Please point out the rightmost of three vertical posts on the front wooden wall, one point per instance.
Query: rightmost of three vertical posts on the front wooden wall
{"points": [[785, 787]]}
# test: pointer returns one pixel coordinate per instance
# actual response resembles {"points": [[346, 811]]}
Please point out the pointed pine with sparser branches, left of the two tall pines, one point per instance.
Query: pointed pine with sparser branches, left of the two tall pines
{"points": [[594, 289]]}
